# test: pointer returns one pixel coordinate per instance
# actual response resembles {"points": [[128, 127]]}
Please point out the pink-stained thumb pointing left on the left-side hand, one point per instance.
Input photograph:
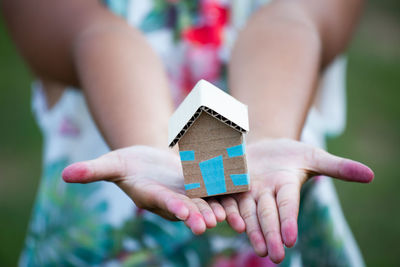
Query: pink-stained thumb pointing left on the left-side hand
{"points": [[105, 167]]}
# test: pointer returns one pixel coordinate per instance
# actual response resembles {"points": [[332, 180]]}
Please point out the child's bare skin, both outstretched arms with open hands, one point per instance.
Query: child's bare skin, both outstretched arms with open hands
{"points": [[276, 65]]}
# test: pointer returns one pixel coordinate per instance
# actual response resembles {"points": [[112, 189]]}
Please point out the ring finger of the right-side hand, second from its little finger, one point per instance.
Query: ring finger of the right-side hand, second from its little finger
{"points": [[248, 211]]}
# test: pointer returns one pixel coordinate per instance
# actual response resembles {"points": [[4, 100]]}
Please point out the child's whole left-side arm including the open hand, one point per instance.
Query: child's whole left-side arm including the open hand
{"points": [[81, 43]]}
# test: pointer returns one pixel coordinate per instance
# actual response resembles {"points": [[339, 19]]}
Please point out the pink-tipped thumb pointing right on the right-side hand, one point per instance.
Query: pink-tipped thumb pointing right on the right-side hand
{"points": [[345, 169]]}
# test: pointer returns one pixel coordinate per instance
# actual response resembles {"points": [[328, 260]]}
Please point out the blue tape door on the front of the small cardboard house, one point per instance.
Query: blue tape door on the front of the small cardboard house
{"points": [[212, 171]]}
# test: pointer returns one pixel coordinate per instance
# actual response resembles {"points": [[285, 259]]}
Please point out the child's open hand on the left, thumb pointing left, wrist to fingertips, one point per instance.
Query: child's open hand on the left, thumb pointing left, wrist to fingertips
{"points": [[153, 179]]}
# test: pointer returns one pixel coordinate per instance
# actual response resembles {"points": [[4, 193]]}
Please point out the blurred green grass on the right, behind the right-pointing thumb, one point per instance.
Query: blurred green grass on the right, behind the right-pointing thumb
{"points": [[373, 137]]}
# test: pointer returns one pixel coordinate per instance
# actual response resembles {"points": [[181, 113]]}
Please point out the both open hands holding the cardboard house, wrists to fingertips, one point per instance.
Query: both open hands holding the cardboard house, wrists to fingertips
{"points": [[268, 212]]}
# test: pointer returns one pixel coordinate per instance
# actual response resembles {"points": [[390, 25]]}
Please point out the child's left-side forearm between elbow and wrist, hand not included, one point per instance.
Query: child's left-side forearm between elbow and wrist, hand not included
{"points": [[124, 84]]}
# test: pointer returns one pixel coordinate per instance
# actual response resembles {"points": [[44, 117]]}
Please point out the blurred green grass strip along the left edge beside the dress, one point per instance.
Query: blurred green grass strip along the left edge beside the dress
{"points": [[20, 151]]}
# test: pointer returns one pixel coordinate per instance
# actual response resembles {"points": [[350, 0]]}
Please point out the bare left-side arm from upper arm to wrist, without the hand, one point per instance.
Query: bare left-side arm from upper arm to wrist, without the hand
{"points": [[80, 43]]}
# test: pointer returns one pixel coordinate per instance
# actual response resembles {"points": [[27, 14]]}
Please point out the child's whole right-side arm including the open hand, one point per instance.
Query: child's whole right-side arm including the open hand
{"points": [[275, 67]]}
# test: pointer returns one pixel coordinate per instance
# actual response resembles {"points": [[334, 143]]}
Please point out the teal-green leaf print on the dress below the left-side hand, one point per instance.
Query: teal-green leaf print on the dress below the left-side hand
{"points": [[69, 227]]}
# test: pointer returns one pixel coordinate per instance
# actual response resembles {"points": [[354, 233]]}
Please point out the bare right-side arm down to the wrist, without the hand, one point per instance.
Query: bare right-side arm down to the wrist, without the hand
{"points": [[276, 65]]}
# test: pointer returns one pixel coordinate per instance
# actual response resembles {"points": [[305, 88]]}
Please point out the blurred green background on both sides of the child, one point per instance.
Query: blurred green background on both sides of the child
{"points": [[372, 136]]}
